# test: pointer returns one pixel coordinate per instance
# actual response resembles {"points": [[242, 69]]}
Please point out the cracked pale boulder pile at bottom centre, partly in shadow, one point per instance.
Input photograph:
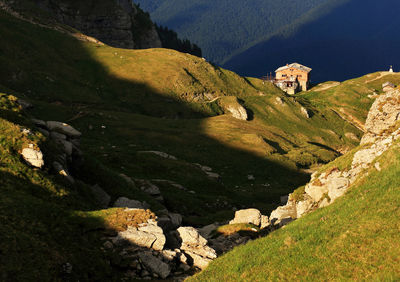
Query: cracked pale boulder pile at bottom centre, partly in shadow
{"points": [[145, 251]]}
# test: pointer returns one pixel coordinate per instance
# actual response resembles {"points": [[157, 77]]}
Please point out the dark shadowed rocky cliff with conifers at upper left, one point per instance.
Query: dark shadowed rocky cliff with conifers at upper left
{"points": [[118, 23]]}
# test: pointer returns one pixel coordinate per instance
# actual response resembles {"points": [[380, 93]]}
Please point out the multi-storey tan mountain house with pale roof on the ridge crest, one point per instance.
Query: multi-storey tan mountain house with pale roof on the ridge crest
{"points": [[293, 78]]}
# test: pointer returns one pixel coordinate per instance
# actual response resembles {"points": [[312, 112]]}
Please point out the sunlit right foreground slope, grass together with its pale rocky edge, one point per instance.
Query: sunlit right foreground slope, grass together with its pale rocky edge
{"points": [[355, 237]]}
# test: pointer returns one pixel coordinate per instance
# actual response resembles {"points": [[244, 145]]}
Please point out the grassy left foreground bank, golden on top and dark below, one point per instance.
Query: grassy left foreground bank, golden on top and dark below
{"points": [[44, 222]]}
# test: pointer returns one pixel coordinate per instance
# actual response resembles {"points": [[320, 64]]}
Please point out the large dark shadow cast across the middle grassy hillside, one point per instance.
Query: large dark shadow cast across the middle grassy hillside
{"points": [[65, 81]]}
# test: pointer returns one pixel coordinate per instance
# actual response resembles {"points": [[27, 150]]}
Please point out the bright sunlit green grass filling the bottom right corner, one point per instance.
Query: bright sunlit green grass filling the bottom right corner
{"points": [[355, 238]]}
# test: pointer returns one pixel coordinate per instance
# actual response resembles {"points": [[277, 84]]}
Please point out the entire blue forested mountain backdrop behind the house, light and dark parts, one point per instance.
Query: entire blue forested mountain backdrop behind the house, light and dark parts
{"points": [[339, 39]]}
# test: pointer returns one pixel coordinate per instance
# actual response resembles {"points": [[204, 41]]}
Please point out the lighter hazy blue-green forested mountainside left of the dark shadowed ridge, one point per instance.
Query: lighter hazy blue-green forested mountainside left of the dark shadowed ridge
{"points": [[222, 28]]}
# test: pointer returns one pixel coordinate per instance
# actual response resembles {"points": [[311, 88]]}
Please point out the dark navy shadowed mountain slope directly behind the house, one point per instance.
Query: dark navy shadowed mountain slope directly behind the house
{"points": [[358, 32]]}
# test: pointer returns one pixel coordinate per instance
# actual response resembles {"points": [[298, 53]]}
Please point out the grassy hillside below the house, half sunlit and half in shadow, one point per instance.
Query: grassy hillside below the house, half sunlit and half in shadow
{"points": [[145, 100]]}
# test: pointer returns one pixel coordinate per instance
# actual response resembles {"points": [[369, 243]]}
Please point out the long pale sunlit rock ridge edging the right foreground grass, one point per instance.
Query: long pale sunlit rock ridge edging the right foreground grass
{"points": [[383, 129]]}
